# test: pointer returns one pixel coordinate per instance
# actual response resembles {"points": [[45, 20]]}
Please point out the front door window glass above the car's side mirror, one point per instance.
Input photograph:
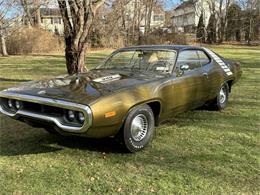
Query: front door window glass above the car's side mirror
{"points": [[188, 57]]}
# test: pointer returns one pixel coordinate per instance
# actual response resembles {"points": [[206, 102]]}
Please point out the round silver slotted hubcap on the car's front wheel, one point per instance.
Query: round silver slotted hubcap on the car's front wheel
{"points": [[139, 127]]}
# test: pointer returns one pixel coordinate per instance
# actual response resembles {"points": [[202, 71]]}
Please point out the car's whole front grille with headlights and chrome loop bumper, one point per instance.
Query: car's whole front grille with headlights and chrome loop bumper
{"points": [[66, 115]]}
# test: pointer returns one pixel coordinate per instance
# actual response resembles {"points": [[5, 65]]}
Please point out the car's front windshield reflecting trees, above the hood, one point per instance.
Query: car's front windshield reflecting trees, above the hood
{"points": [[161, 61]]}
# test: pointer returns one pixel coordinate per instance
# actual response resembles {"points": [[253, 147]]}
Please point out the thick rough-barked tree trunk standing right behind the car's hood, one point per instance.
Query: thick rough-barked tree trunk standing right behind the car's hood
{"points": [[78, 17]]}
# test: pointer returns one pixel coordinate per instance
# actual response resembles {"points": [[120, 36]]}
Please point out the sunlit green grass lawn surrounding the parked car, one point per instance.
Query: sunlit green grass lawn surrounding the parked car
{"points": [[198, 152]]}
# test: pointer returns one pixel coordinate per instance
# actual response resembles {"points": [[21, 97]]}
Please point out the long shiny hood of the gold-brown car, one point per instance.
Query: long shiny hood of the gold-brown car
{"points": [[87, 87]]}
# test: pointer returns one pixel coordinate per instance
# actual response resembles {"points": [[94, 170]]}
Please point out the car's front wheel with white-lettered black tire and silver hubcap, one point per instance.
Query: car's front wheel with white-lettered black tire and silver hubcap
{"points": [[138, 129]]}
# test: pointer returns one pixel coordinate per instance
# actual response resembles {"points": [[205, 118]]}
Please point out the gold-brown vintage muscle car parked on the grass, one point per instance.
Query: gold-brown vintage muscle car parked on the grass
{"points": [[128, 95]]}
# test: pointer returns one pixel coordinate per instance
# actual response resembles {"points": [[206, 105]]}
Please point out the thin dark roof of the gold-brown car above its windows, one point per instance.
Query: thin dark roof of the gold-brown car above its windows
{"points": [[170, 47]]}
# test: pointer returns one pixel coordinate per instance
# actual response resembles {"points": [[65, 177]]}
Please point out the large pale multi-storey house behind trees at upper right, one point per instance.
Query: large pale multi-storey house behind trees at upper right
{"points": [[186, 16]]}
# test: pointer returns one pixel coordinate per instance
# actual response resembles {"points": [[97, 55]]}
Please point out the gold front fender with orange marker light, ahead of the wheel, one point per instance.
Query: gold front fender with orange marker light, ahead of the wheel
{"points": [[110, 112]]}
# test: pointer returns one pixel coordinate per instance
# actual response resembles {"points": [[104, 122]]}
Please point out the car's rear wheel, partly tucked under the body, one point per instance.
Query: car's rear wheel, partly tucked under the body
{"points": [[221, 101]]}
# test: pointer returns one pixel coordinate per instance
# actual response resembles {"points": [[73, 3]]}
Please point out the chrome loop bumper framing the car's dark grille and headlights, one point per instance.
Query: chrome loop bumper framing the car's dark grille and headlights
{"points": [[51, 102]]}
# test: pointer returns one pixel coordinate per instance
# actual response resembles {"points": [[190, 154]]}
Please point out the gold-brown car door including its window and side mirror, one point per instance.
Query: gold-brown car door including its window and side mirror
{"points": [[189, 81]]}
